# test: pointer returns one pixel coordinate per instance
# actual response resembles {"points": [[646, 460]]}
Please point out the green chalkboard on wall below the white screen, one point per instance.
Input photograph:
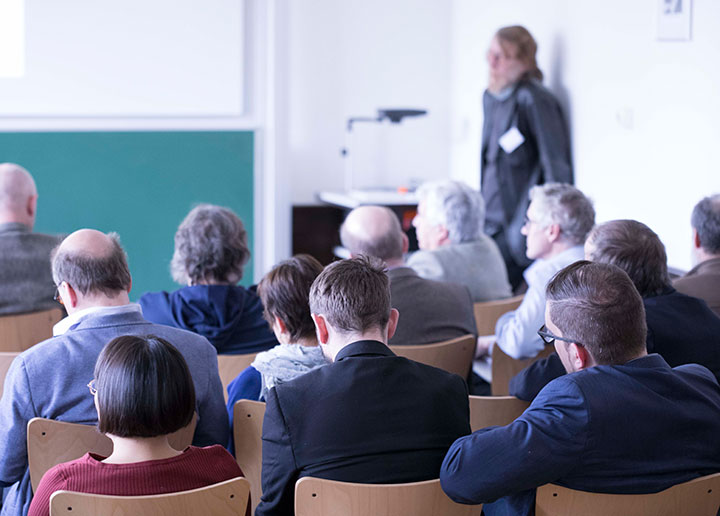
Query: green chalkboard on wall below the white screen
{"points": [[138, 184]]}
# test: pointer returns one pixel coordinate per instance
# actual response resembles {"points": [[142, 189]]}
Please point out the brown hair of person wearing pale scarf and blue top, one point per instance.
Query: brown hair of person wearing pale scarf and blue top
{"points": [[284, 292]]}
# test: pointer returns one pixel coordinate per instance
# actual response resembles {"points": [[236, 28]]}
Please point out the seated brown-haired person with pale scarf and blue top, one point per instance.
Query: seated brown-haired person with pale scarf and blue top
{"points": [[284, 293]]}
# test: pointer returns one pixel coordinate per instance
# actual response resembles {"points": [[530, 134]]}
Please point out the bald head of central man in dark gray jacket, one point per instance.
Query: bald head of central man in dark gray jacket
{"points": [[374, 231]]}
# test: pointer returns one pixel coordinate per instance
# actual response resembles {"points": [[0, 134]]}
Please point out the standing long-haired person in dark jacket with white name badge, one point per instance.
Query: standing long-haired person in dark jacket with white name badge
{"points": [[525, 141]]}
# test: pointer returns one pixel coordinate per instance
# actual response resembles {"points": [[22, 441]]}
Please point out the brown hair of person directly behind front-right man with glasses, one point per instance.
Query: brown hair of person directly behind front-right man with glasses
{"points": [[636, 249]]}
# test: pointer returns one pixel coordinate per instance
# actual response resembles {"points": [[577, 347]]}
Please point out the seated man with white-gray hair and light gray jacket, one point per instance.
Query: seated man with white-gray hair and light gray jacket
{"points": [[453, 247]]}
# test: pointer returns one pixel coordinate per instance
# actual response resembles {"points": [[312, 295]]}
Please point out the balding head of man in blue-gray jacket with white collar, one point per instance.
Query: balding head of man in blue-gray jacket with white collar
{"points": [[92, 263]]}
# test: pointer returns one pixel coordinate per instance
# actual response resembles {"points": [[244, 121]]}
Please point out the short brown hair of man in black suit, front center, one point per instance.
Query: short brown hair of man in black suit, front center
{"points": [[353, 295]]}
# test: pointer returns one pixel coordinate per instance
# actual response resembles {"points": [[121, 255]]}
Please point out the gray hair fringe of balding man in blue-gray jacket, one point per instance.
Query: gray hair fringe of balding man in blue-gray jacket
{"points": [[90, 274]]}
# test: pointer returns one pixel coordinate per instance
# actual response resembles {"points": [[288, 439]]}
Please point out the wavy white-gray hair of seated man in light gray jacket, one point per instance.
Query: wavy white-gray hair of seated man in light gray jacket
{"points": [[456, 206]]}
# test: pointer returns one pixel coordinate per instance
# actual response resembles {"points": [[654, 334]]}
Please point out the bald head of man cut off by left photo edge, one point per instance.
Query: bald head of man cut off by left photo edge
{"points": [[18, 195]]}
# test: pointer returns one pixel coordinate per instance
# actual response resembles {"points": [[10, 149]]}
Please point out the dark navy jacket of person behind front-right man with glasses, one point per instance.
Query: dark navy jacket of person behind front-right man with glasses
{"points": [[681, 328]]}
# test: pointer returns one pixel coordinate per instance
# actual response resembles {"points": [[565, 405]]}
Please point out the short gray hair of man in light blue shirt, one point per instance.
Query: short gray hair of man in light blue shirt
{"points": [[566, 206]]}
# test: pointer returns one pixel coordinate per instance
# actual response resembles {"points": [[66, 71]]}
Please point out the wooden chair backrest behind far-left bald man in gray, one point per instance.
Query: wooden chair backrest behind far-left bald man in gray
{"points": [[20, 331]]}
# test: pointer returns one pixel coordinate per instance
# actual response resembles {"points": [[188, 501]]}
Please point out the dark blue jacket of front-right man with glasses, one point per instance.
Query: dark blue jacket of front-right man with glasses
{"points": [[635, 428]]}
